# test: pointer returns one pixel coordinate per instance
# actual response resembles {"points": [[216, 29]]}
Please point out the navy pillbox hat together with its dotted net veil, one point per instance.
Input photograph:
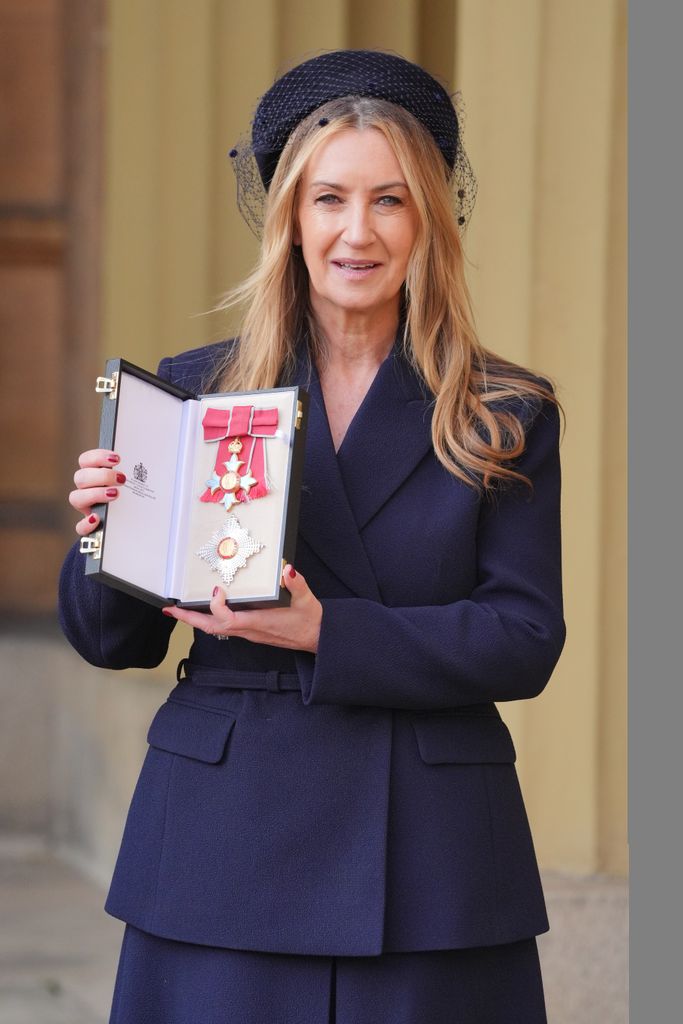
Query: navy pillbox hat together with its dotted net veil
{"points": [[313, 84]]}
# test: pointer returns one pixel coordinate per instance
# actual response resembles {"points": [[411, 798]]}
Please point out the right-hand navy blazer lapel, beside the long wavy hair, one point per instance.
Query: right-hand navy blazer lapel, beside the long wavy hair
{"points": [[389, 437]]}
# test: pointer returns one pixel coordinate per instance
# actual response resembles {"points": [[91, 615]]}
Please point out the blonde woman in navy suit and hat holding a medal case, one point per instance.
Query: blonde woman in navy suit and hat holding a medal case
{"points": [[328, 826]]}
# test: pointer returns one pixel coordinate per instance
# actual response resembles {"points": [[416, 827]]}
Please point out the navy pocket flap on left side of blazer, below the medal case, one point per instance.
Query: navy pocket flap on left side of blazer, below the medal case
{"points": [[195, 733]]}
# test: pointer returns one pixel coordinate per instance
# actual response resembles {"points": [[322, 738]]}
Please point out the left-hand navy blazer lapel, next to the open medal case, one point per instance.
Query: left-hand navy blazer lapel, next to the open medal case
{"points": [[326, 520]]}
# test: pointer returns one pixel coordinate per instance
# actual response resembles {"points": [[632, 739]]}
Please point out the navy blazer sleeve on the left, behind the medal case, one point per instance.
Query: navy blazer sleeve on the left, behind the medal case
{"points": [[108, 628]]}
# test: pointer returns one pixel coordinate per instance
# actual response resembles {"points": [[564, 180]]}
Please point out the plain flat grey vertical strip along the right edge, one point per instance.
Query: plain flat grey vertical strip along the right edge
{"points": [[656, 509]]}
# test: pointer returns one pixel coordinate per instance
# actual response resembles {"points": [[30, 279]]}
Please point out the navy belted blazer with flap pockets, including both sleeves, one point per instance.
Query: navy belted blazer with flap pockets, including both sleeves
{"points": [[377, 808]]}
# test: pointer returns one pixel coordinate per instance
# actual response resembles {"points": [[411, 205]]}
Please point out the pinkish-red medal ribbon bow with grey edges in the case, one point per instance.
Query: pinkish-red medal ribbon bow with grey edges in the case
{"points": [[252, 426]]}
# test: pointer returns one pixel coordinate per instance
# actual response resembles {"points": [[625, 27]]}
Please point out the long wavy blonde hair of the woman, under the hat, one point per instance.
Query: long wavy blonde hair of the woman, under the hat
{"points": [[474, 435]]}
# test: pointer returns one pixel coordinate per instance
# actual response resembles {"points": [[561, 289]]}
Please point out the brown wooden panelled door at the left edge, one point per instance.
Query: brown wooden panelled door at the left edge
{"points": [[51, 135]]}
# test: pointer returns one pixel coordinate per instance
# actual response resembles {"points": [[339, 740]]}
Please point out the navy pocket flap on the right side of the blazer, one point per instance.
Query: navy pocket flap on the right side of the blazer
{"points": [[463, 740]]}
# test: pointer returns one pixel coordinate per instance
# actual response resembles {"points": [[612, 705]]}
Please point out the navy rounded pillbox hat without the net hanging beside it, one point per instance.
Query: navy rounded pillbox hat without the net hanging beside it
{"points": [[351, 73]]}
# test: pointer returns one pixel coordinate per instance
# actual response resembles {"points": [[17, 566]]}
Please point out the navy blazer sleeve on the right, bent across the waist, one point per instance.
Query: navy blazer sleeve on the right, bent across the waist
{"points": [[501, 644]]}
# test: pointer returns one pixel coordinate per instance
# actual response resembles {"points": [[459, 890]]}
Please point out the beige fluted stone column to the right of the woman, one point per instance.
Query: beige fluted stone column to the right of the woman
{"points": [[545, 90]]}
